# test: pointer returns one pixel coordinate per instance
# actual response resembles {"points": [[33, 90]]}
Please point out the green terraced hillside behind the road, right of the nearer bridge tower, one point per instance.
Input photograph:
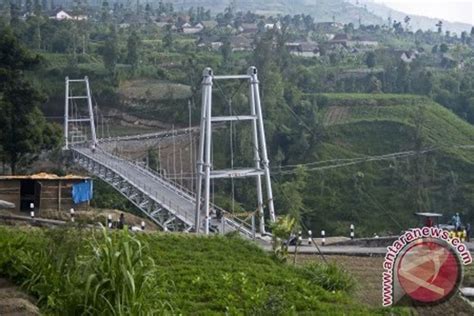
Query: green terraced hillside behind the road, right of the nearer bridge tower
{"points": [[380, 194]]}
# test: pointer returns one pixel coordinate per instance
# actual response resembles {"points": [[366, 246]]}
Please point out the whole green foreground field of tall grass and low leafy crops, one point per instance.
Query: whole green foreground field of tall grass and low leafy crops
{"points": [[94, 272]]}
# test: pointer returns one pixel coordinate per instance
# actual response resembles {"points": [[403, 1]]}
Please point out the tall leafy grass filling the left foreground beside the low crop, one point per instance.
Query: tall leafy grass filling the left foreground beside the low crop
{"points": [[72, 273]]}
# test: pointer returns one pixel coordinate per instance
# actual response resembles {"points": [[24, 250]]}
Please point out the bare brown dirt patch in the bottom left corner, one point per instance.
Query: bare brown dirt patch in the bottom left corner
{"points": [[15, 303]]}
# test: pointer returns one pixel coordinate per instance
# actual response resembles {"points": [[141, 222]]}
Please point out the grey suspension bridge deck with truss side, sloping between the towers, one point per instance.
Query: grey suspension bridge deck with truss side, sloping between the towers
{"points": [[164, 202]]}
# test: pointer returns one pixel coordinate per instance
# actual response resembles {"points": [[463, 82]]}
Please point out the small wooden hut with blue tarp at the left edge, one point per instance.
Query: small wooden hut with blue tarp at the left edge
{"points": [[46, 192]]}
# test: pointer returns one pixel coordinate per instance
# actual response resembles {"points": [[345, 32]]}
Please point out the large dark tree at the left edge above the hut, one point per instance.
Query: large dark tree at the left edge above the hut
{"points": [[24, 131]]}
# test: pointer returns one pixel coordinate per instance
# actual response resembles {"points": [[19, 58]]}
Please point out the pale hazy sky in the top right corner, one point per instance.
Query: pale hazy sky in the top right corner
{"points": [[451, 10]]}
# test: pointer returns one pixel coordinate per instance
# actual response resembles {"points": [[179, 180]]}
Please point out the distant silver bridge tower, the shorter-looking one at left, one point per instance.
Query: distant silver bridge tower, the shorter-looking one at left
{"points": [[72, 118]]}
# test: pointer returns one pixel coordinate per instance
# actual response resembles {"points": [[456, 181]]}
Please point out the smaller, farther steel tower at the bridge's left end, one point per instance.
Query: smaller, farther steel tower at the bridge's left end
{"points": [[70, 117]]}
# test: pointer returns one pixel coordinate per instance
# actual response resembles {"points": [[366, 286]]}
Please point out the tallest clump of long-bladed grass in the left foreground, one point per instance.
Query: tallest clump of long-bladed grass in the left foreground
{"points": [[120, 277]]}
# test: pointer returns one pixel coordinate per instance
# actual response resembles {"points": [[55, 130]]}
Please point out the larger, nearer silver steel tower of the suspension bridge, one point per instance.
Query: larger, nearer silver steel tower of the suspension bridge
{"points": [[204, 159]]}
